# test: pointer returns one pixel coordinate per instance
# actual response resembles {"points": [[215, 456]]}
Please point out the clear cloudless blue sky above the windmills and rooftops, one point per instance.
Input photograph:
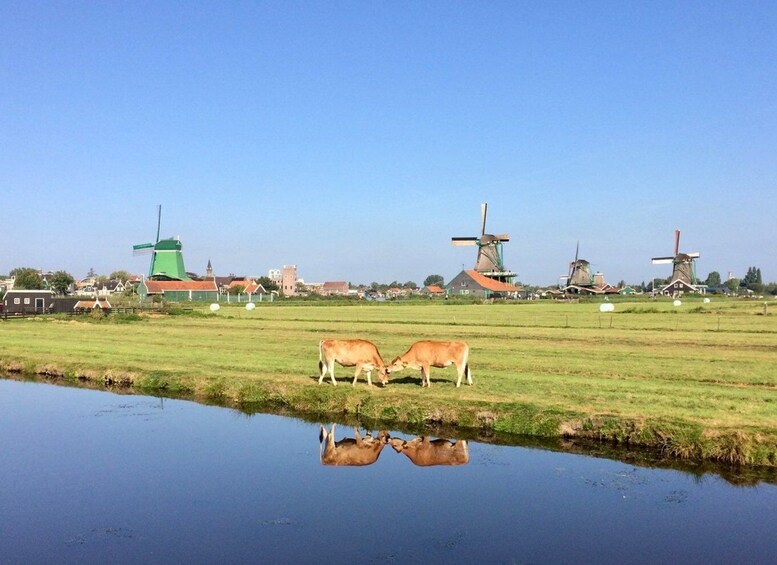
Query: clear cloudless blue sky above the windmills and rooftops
{"points": [[353, 139]]}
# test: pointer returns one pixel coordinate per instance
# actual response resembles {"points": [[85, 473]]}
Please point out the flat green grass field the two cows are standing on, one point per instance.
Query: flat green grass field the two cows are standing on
{"points": [[698, 381]]}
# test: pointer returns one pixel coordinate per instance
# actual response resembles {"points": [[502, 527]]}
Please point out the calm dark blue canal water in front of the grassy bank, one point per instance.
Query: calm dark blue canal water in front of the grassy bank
{"points": [[95, 477]]}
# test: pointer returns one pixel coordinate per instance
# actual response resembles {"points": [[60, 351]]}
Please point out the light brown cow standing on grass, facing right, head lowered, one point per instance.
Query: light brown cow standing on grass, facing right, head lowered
{"points": [[349, 353]]}
